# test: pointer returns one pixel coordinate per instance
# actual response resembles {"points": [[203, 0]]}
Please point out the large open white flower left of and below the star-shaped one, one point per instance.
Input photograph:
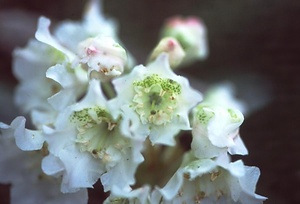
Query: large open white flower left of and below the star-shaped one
{"points": [[85, 144]]}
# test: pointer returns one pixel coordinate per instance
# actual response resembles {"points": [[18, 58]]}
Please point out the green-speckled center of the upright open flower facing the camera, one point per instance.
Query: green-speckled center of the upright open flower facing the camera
{"points": [[155, 99]]}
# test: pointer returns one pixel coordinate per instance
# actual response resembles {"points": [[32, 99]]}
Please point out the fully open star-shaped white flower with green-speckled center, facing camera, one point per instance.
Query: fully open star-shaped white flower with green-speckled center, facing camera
{"points": [[154, 101]]}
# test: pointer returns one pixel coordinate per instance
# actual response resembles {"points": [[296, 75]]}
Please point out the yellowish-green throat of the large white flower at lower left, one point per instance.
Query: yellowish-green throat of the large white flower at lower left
{"points": [[98, 134]]}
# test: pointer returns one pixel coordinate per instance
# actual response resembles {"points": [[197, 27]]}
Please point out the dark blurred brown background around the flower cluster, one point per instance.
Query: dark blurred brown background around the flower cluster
{"points": [[253, 43]]}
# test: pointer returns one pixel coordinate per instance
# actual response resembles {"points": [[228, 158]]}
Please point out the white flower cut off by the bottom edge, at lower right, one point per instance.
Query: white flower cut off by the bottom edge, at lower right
{"points": [[211, 181]]}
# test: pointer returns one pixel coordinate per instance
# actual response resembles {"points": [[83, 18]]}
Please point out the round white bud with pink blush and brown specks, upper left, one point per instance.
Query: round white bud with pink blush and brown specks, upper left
{"points": [[104, 58]]}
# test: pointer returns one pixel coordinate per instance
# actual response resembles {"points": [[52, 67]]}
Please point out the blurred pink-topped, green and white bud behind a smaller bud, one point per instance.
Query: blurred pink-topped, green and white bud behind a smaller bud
{"points": [[191, 34]]}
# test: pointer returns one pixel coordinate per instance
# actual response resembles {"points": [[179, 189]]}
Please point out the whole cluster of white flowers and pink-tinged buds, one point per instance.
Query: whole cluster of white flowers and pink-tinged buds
{"points": [[97, 116]]}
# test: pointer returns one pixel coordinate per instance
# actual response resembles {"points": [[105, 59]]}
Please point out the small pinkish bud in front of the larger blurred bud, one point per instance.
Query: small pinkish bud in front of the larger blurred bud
{"points": [[171, 46]]}
